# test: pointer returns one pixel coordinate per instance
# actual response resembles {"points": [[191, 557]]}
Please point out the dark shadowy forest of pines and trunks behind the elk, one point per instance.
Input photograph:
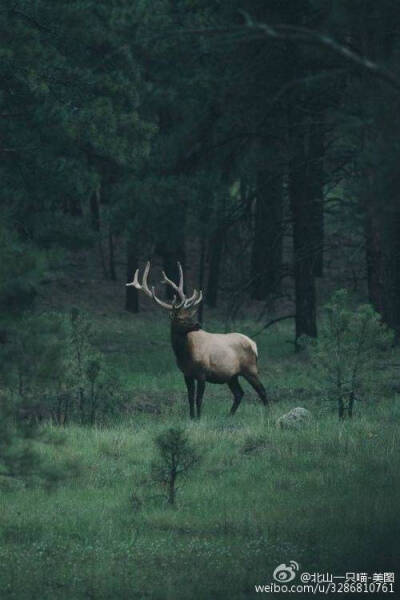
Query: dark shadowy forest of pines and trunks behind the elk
{"points": [[267, 163]]}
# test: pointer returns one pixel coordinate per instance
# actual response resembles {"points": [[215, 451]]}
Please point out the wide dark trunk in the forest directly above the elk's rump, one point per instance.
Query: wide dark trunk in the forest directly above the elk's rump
{"points": [[266, 260]]}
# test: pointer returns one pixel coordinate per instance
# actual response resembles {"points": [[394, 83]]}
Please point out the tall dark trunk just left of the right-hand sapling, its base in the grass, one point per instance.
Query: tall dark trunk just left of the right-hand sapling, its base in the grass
{"points": [[303, 228]]}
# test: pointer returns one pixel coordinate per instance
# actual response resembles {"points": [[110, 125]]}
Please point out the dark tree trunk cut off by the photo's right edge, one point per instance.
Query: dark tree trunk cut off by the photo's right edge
{"points": [[380, 175]]}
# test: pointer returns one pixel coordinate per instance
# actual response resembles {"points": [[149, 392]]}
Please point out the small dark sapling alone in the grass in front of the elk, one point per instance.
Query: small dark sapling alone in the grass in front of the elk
{"points": [[176, 456]]}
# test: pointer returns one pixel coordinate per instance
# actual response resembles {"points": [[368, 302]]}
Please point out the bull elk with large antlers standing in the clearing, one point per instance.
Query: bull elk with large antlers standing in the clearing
{"points": [[202, 356]]}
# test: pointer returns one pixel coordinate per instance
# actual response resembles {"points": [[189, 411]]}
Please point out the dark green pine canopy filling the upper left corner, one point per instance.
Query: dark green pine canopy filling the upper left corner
{"points": [[70, 113]]}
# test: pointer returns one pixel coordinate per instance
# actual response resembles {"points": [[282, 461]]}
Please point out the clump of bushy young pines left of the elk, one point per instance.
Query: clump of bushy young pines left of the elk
{"points": [[51, 369]]}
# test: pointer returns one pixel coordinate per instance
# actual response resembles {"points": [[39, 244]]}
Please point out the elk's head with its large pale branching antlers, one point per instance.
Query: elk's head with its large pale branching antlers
{"points": [[181, 309]]}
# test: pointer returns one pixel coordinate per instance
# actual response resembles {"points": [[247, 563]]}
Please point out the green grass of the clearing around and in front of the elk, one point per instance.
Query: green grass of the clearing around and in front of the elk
{"points": [[326, 496]]}
